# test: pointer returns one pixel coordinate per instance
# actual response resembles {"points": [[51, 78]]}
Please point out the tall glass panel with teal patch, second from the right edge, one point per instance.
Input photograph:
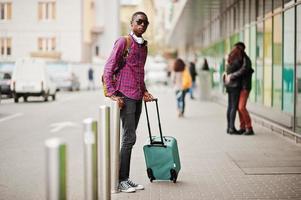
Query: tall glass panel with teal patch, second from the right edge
{"points": [[288, 60]]}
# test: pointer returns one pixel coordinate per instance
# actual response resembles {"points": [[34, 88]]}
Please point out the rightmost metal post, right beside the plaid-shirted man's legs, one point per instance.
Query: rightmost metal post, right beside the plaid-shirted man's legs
{"points": [[115, 145]]}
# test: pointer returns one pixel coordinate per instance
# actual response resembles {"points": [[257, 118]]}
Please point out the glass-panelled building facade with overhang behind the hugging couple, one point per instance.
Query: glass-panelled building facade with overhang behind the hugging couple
{"points": [[271, 30]]}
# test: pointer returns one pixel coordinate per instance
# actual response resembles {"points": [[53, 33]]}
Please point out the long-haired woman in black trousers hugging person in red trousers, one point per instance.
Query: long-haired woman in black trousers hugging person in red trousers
{"points": [[233, 86]]}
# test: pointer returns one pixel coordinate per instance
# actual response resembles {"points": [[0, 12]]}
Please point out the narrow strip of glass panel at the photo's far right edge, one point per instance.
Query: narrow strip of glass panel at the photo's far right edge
{"points": [[298, 72]]}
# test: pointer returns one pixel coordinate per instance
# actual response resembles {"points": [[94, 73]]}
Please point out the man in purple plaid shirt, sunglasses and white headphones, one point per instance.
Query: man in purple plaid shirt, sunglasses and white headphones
{"points": [[127, 87]]}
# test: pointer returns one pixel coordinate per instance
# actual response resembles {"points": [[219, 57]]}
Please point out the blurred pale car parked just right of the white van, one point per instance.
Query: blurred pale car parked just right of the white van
{"points": [[63, 76]]}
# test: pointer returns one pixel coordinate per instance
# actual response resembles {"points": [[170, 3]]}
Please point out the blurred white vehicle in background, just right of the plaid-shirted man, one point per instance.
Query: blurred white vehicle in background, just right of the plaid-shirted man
{"points": [[156, 71]]}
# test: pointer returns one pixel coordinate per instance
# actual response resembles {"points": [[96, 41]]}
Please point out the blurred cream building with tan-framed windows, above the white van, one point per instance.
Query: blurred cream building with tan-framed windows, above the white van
{"points": [[63, 30]]}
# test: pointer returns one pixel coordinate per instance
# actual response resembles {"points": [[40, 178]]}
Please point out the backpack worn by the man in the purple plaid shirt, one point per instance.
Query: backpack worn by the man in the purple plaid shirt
{"points": [[121, 64]]}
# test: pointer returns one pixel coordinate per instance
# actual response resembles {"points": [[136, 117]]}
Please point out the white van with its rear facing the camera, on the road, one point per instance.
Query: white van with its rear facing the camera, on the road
{"points": [[30, 78]]}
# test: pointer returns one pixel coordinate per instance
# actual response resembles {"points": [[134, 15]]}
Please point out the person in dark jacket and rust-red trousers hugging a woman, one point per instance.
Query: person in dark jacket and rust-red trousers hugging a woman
{"points": [[244, 74]]}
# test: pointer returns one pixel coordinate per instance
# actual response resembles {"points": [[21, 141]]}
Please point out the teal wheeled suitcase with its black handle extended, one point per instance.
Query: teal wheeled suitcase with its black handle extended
{"points": [[161, 154]]}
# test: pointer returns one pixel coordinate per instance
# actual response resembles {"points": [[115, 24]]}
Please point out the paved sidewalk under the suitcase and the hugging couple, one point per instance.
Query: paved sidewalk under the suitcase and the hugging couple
{"points": [[216, 165]]}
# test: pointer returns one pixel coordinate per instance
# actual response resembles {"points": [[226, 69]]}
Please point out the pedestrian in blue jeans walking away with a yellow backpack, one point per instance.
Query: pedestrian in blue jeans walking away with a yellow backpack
{"points": [[182, 82]]}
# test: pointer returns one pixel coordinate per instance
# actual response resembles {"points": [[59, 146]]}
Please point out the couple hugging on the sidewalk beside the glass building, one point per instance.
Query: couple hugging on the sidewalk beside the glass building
{"points": [[238, 82]]}
